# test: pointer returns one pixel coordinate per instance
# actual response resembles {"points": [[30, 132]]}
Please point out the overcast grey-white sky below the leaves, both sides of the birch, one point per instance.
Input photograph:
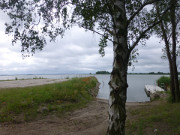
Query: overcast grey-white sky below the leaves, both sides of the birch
{"points": [[77, 53]]}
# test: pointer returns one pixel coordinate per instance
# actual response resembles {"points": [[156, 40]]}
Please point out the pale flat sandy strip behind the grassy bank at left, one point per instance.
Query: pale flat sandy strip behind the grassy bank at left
{"points": [[26, 83]]}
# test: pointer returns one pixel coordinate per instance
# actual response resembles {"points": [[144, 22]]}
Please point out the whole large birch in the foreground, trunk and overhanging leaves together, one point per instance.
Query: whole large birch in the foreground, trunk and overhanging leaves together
{"points": [[125, 23]]}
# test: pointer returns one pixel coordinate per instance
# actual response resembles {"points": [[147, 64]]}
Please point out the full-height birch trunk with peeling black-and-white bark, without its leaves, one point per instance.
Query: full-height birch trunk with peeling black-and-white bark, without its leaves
{"points": [[118, 82]]}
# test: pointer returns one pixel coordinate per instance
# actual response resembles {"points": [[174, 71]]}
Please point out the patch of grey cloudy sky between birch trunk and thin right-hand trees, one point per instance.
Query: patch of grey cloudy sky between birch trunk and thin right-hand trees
{"points": [[149, 59]]}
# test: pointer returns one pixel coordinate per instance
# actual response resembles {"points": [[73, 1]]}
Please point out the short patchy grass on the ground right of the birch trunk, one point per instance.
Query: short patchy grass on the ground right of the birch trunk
{"points": [[162, 119]]}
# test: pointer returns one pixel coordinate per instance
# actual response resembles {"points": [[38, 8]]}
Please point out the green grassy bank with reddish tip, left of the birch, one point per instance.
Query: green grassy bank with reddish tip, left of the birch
{"points": [[24, 104]]}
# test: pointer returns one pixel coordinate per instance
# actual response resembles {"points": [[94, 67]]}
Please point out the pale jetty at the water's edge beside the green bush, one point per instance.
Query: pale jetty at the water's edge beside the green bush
{"points": [[152, 91]]}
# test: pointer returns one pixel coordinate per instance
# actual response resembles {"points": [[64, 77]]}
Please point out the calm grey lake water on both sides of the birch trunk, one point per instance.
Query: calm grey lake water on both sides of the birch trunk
{"points": [[135, 92]]}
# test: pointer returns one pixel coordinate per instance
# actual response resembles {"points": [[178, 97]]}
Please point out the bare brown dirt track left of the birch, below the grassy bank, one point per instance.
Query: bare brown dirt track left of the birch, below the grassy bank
{"points": [[91, 120]]}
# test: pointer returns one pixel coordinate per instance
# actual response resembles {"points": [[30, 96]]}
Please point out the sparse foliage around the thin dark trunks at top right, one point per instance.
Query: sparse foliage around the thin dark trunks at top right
{"points": [[167, 26]]}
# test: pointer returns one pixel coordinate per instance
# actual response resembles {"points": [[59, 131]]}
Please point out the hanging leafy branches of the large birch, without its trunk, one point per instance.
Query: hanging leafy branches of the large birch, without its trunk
{"points": [[34, 21]]}
